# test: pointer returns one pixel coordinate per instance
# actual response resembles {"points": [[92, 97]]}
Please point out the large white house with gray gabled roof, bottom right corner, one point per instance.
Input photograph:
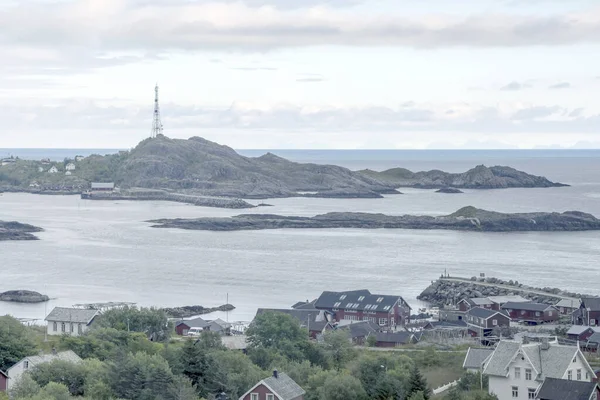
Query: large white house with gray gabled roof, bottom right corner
{"points": [[517, 370]]}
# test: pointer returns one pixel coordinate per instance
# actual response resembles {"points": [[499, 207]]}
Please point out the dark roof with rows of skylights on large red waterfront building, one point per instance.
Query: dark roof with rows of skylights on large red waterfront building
{"points": [[359, 300]]}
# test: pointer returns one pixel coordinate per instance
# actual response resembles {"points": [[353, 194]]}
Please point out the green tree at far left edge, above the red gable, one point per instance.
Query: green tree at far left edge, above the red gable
{"points": [[16, 342]]}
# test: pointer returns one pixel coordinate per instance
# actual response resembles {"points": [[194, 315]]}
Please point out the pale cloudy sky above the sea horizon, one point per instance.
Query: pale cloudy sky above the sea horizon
{"points": [[300, 74]]}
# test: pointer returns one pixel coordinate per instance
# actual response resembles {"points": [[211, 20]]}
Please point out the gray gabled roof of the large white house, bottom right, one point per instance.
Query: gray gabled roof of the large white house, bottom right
{"points": [[549, 363]]}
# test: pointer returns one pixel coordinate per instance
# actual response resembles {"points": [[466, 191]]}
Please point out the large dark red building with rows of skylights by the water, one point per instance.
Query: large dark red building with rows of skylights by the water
{"points": [[361, 305]]}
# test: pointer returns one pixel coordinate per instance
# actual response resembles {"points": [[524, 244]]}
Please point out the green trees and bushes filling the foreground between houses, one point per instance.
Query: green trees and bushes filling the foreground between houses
{"points": [[120, 362]]}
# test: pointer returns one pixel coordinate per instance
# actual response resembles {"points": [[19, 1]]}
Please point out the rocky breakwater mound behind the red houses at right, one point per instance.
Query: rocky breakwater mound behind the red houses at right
{"points": [[450, 290]]}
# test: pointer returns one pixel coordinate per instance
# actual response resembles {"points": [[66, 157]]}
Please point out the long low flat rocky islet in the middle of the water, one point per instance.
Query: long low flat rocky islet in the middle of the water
{"points": [[465, 219]]}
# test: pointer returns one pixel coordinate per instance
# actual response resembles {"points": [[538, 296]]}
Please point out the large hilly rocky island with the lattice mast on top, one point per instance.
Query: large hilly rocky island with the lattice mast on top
{"points": [[199, 171]]}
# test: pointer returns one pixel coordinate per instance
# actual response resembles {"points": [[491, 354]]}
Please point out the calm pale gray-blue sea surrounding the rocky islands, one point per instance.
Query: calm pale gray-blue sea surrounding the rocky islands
{"points": [[94, 251]]}
